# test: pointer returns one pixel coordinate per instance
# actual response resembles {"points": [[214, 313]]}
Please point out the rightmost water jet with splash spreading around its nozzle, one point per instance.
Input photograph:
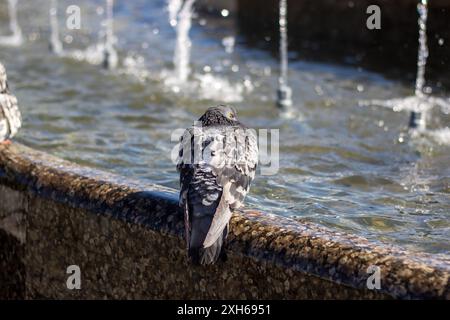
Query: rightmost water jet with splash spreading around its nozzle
{"points": [[420, 104]]}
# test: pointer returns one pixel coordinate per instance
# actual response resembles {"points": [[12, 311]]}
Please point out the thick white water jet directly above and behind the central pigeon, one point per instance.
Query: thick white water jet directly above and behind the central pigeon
{"points": [[183, 43]]}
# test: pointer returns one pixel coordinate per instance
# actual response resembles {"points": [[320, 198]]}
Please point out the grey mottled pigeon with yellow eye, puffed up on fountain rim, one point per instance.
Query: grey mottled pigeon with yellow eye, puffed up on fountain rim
{"points": [[217, 162]]}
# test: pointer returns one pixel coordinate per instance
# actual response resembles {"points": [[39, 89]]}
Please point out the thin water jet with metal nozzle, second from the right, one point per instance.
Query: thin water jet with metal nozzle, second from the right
{"points": [[284, 92]]}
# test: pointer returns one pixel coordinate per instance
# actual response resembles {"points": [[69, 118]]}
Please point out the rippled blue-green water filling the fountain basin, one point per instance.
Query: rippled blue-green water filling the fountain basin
{"points": [[342, 165]]}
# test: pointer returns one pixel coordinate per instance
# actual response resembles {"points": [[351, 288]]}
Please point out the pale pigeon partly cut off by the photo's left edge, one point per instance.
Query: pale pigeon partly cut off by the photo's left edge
{"points": [[10, 118]]}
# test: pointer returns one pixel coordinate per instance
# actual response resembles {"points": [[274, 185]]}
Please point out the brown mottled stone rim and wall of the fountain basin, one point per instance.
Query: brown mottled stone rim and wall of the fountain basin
{"points": [[127, 238]]}
